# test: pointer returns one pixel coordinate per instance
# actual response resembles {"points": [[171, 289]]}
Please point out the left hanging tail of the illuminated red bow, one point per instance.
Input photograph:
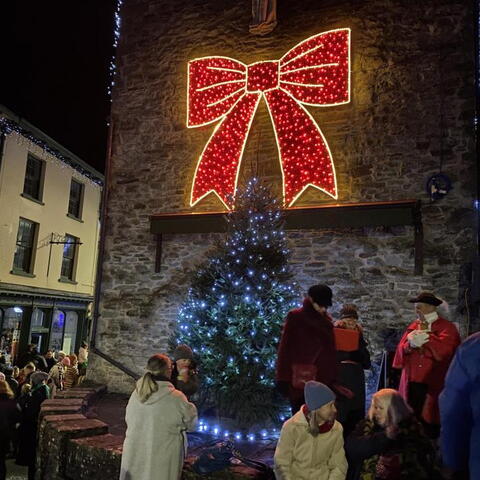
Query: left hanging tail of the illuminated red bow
{"points": [[219, 163]]}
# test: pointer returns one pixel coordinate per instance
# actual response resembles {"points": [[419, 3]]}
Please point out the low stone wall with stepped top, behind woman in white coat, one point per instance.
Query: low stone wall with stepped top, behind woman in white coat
{"points": [[74, 447]]}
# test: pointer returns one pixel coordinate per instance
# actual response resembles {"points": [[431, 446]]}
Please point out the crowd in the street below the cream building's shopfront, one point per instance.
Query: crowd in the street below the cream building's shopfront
{"points": [[23, 388]]}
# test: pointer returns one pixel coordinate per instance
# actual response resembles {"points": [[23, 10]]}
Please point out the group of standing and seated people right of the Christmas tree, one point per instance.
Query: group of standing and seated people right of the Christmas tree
{"points": [[320, 369]]}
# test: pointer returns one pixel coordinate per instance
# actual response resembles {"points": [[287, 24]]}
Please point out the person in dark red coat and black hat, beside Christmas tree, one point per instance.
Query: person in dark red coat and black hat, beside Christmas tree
{"points": [[307, 347]]}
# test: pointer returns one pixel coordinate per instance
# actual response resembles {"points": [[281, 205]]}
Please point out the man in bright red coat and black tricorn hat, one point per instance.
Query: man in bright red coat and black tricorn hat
{"points": [[424, 354]]}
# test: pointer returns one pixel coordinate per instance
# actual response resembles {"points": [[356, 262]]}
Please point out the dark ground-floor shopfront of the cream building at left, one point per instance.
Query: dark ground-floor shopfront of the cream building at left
{"points": [[50, 321]]}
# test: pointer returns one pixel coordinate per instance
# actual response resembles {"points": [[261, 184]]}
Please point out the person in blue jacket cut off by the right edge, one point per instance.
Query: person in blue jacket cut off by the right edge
{"points": [[460, 412]]}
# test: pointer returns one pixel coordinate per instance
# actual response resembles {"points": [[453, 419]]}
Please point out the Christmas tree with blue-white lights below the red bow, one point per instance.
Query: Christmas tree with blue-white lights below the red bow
{"points": [[234, 312]]}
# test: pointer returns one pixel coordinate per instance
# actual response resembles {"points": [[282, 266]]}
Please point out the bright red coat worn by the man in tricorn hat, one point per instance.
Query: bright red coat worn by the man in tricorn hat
{"points": [[428, 364]]}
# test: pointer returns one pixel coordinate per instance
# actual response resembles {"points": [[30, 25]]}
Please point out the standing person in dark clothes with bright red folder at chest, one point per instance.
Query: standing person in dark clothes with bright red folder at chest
{"points": [[353, 358]]}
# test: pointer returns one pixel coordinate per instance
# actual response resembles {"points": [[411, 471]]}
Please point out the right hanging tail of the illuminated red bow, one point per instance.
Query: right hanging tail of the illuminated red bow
{"points": [[304, 154]]}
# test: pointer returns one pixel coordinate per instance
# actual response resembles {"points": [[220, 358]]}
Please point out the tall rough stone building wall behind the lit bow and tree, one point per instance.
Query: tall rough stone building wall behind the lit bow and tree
{"points": [[411, 114]]}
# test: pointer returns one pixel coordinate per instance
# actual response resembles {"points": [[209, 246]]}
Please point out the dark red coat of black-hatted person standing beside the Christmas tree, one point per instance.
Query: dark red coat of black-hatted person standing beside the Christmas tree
{"points": [[307, 338]]}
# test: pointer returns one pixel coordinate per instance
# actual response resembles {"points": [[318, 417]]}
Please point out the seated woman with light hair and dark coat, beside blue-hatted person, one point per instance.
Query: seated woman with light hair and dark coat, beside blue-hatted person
{"points": [[390, 443]]}
